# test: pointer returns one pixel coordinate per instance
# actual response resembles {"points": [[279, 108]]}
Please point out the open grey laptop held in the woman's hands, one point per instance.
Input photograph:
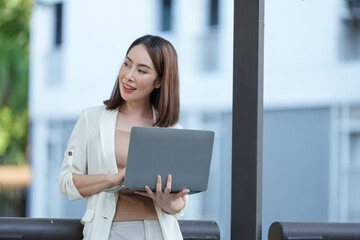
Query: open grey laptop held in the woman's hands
{"points": [[185, 154]]}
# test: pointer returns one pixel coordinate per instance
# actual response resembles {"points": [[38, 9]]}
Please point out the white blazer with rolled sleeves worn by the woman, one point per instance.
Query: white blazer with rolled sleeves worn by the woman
{"points": [[90, 150]]}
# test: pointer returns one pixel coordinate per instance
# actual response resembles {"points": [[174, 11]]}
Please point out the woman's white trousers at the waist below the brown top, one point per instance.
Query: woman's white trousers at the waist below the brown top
{"points": [[138, 230]]}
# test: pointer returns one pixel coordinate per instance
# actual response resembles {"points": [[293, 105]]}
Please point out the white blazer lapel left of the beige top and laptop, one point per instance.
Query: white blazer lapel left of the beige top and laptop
{"points": [[107, 136]]}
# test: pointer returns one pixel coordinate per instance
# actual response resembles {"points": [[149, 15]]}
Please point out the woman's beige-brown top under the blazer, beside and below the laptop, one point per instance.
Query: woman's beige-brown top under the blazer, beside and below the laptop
{"points": [[130, 207]]}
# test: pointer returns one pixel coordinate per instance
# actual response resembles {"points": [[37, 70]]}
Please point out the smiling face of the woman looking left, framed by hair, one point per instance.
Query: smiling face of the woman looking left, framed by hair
{"points": [[137, 76]]}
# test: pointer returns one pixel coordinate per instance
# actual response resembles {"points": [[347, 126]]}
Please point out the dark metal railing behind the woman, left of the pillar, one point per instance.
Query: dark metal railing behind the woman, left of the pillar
{"points": [[71, 229]]}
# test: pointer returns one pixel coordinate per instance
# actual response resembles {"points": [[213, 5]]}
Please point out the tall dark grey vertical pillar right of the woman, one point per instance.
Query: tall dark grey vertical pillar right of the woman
{"points": [[246, 190]]}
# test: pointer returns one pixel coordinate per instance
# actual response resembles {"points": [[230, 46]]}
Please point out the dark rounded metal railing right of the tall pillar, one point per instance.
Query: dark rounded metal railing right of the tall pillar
{"points": [[314, 231]]}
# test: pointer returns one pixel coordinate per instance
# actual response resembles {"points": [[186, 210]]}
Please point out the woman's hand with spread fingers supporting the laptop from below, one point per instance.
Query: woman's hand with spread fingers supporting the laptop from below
{"points": [[171, 203]]}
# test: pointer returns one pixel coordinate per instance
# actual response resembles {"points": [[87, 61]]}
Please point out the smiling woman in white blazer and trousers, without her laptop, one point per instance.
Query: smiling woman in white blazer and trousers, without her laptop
{"points": [[145, 94]]}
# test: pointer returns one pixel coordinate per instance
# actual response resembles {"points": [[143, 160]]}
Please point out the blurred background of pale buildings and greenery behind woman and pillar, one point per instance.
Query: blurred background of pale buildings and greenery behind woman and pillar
{"points": [[58, 57]]}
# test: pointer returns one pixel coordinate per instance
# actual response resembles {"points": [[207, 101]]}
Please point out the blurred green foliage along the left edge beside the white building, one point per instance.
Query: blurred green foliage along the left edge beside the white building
{"points": [[14, 62]]}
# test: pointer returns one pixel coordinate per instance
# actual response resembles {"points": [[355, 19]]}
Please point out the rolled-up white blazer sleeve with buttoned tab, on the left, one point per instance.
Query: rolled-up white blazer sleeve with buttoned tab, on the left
{"points": [[75, 159]]}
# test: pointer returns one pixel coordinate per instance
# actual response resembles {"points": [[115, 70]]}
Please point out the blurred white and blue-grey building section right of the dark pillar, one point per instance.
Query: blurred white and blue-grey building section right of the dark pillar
{"points": [[311, 122]]}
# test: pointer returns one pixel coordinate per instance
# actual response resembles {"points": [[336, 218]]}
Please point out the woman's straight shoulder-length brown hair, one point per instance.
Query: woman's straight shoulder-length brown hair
{"points": [[166, 98]]}
